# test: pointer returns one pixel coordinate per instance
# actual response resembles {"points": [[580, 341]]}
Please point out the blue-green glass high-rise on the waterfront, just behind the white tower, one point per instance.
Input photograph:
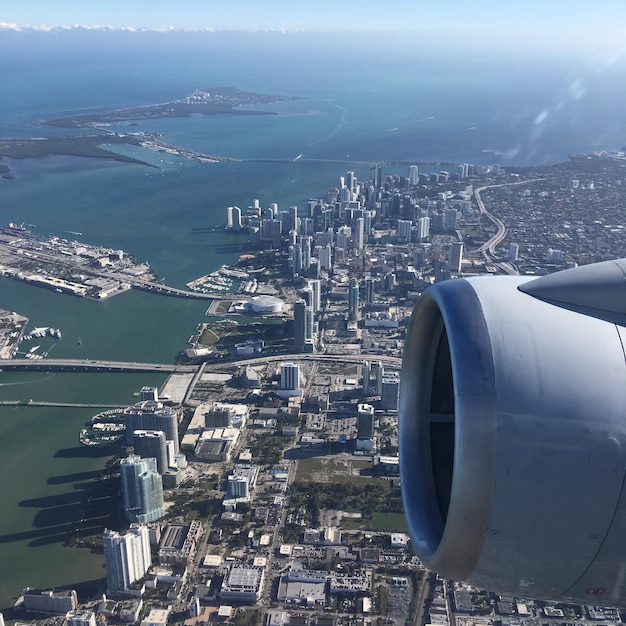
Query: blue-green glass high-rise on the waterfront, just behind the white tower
{"points": [[142, 489]]}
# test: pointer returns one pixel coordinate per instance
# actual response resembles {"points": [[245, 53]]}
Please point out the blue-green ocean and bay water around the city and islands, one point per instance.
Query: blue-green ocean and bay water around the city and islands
{"points": [[357, 102]]}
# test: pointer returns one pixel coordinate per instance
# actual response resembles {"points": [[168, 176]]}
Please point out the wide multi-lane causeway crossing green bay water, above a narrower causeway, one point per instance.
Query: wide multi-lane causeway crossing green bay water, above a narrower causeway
{"points": [[84, 365]]}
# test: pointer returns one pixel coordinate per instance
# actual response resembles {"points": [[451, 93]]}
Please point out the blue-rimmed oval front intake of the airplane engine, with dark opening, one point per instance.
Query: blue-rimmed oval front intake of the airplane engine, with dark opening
{"points": [[448, 362]]}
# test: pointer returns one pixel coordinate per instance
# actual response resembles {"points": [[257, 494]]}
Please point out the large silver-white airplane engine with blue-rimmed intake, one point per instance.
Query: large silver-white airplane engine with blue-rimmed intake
{"points": [[513, 433]]}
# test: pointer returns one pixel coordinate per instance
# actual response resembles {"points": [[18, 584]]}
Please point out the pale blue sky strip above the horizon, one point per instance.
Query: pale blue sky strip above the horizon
{"points": [[579, 15]]}
